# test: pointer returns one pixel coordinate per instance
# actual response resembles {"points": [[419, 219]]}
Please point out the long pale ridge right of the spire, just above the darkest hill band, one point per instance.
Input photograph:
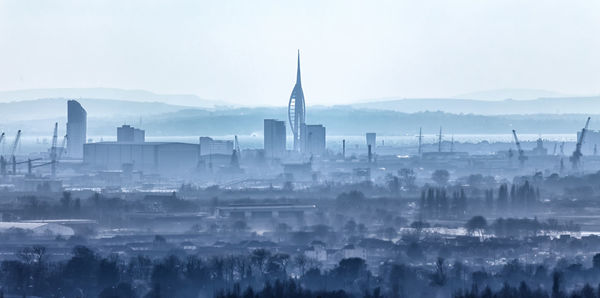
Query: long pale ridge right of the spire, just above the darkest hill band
{"points": [[558, 105]]}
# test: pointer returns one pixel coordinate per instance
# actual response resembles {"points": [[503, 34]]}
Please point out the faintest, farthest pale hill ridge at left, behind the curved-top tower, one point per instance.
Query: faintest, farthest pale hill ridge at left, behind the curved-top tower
{"points": [[108, 93]]}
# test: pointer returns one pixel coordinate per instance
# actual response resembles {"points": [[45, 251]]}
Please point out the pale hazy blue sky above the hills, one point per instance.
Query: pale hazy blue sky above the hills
{"points": [[245, 51]]}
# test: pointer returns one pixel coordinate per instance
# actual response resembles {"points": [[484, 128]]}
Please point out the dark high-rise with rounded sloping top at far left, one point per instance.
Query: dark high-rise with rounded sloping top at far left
{"points": [[76, 129]]}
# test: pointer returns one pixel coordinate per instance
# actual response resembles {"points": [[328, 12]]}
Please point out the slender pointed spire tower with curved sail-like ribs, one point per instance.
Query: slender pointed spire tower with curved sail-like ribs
{"points": [[296, 110]]}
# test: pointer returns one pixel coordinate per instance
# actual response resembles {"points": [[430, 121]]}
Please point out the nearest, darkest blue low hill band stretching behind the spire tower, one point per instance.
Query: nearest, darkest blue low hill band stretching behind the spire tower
{"points": [[346, 121]]}
